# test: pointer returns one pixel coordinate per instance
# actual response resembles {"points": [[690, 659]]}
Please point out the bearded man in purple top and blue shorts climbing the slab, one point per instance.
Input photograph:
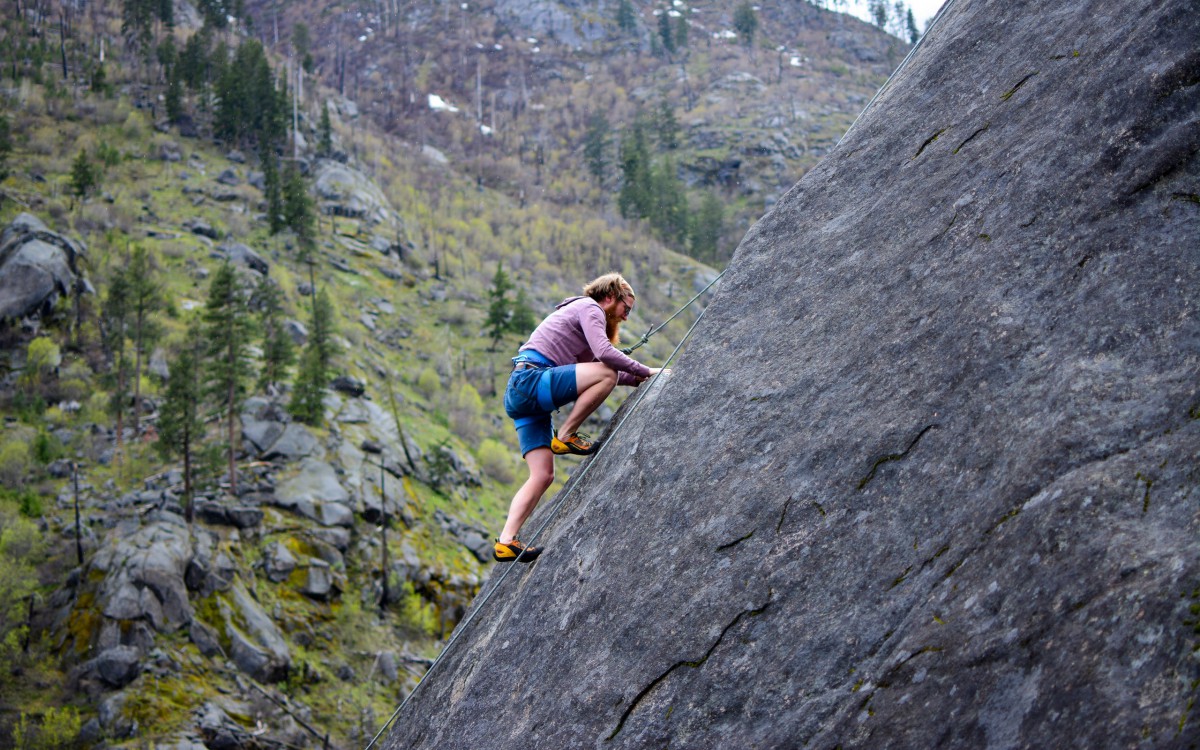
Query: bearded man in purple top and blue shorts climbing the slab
{"points": [[571, 357]]}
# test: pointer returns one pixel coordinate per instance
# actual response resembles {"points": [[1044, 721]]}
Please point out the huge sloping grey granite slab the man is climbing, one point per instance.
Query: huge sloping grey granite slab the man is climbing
{"points": [[940, 485]]}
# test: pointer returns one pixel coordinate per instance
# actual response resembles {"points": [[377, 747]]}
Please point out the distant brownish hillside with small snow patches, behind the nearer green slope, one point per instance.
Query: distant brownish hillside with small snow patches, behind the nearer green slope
{"points": [[509, 91]]}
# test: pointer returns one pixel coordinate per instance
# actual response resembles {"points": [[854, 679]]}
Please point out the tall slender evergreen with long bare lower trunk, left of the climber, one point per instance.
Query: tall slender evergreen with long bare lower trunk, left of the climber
{"points": [[229, 331]]}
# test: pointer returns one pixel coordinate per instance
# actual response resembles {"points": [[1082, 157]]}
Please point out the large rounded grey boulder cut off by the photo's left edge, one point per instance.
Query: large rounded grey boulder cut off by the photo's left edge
{"points": [[38, 267]]}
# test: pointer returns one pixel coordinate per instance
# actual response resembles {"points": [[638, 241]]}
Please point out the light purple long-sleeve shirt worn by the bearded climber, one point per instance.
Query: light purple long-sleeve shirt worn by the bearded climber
{"points": [[575, 333]]}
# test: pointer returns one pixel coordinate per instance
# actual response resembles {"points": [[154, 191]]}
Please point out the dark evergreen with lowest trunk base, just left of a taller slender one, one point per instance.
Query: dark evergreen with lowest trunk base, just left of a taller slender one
{"points": [[181, 425]]}
